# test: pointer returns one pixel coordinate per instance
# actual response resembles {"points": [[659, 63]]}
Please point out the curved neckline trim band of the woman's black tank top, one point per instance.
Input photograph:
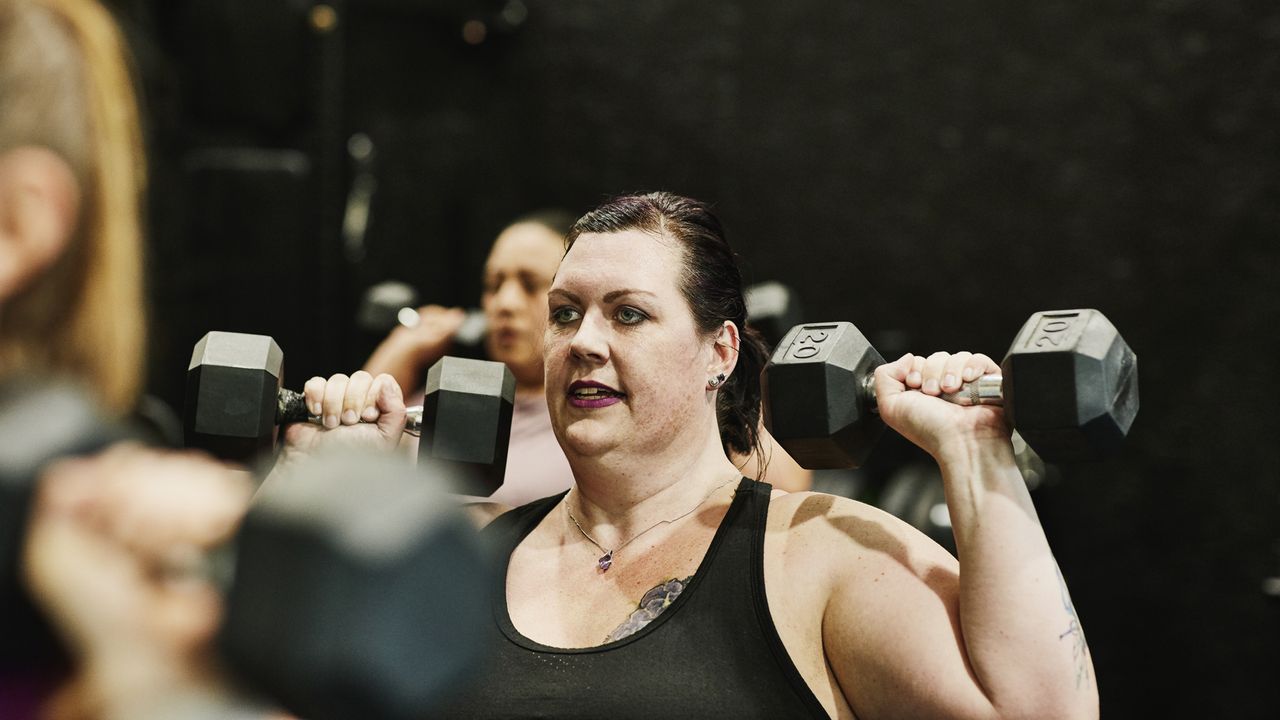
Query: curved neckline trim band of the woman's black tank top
{"points": [[502, 616]]}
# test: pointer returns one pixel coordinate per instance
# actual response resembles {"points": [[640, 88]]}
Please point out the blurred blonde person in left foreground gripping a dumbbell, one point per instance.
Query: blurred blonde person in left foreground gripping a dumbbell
{"points": [[71, 307]]}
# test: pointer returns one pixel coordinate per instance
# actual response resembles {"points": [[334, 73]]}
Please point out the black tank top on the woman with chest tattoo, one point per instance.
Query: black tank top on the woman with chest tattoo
{"points": [[714, 653]]}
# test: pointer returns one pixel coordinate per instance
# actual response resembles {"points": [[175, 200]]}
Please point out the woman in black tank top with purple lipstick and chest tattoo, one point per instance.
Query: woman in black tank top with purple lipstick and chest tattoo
{"points": [[665, 582]]}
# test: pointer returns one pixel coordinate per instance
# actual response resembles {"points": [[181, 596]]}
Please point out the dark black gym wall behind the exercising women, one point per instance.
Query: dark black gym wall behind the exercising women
{"points": [[934, 172]]}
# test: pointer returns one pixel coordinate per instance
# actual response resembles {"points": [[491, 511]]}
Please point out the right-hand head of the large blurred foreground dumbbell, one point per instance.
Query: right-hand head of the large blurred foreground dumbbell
{"points": [[354, 599]]}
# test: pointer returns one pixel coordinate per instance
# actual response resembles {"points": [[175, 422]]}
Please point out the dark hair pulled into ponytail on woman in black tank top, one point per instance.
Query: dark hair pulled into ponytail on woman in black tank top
{"points": [[712, 286]]}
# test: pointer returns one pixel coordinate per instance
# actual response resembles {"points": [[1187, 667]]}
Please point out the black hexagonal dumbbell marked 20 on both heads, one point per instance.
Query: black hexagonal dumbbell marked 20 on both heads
{"points": [[1069, 388]]}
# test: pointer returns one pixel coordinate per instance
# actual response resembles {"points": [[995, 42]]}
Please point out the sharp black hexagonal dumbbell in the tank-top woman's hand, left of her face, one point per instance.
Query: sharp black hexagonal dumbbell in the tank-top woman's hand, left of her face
{"points": [[235, 402]]}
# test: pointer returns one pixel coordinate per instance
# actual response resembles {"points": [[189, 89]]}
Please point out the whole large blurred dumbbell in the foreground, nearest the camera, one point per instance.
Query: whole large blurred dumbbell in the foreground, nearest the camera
{"points": [[321, 582]]}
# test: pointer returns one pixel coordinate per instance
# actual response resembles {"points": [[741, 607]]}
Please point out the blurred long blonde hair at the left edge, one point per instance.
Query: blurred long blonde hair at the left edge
{"points": [[66, 85]]}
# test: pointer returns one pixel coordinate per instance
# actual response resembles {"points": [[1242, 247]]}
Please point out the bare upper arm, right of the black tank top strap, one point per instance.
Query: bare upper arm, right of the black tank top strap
{"points": [[892, 627]]}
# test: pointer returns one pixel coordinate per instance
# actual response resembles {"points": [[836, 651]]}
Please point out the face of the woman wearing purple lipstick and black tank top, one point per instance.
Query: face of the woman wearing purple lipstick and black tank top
{"points": [[642, 359]]}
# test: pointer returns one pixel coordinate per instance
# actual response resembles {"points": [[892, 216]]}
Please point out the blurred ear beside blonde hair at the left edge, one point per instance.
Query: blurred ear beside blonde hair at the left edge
{"points": [[39, 209]]}
